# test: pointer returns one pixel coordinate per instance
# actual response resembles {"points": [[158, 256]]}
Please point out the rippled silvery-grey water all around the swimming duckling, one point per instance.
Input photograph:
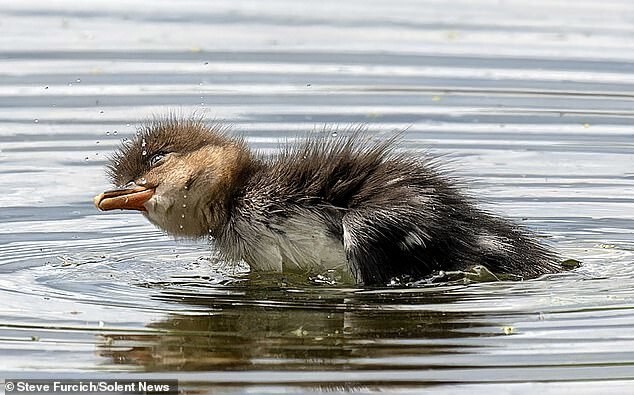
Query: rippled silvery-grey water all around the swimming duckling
{"points": [[531, 102]]}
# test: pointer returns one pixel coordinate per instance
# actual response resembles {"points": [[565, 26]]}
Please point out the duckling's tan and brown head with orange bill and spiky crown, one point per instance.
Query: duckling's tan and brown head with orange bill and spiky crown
{"points": [[180, 174]]}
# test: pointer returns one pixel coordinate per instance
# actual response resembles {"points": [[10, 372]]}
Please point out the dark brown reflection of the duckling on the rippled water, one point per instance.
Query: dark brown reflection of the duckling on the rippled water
{"points": [[318, 328]]}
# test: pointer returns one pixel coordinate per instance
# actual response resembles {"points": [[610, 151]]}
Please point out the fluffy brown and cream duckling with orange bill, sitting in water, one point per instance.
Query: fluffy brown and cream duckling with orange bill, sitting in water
{"points": [[342, 203]]}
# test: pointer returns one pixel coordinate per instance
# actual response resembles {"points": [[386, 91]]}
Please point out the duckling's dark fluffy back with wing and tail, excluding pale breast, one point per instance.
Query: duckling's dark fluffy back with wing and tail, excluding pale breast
{"points": [[395, 213]]}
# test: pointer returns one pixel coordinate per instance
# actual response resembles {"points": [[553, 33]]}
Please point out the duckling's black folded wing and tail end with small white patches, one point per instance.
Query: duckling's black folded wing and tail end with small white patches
{"points": [[398, 240]]}
